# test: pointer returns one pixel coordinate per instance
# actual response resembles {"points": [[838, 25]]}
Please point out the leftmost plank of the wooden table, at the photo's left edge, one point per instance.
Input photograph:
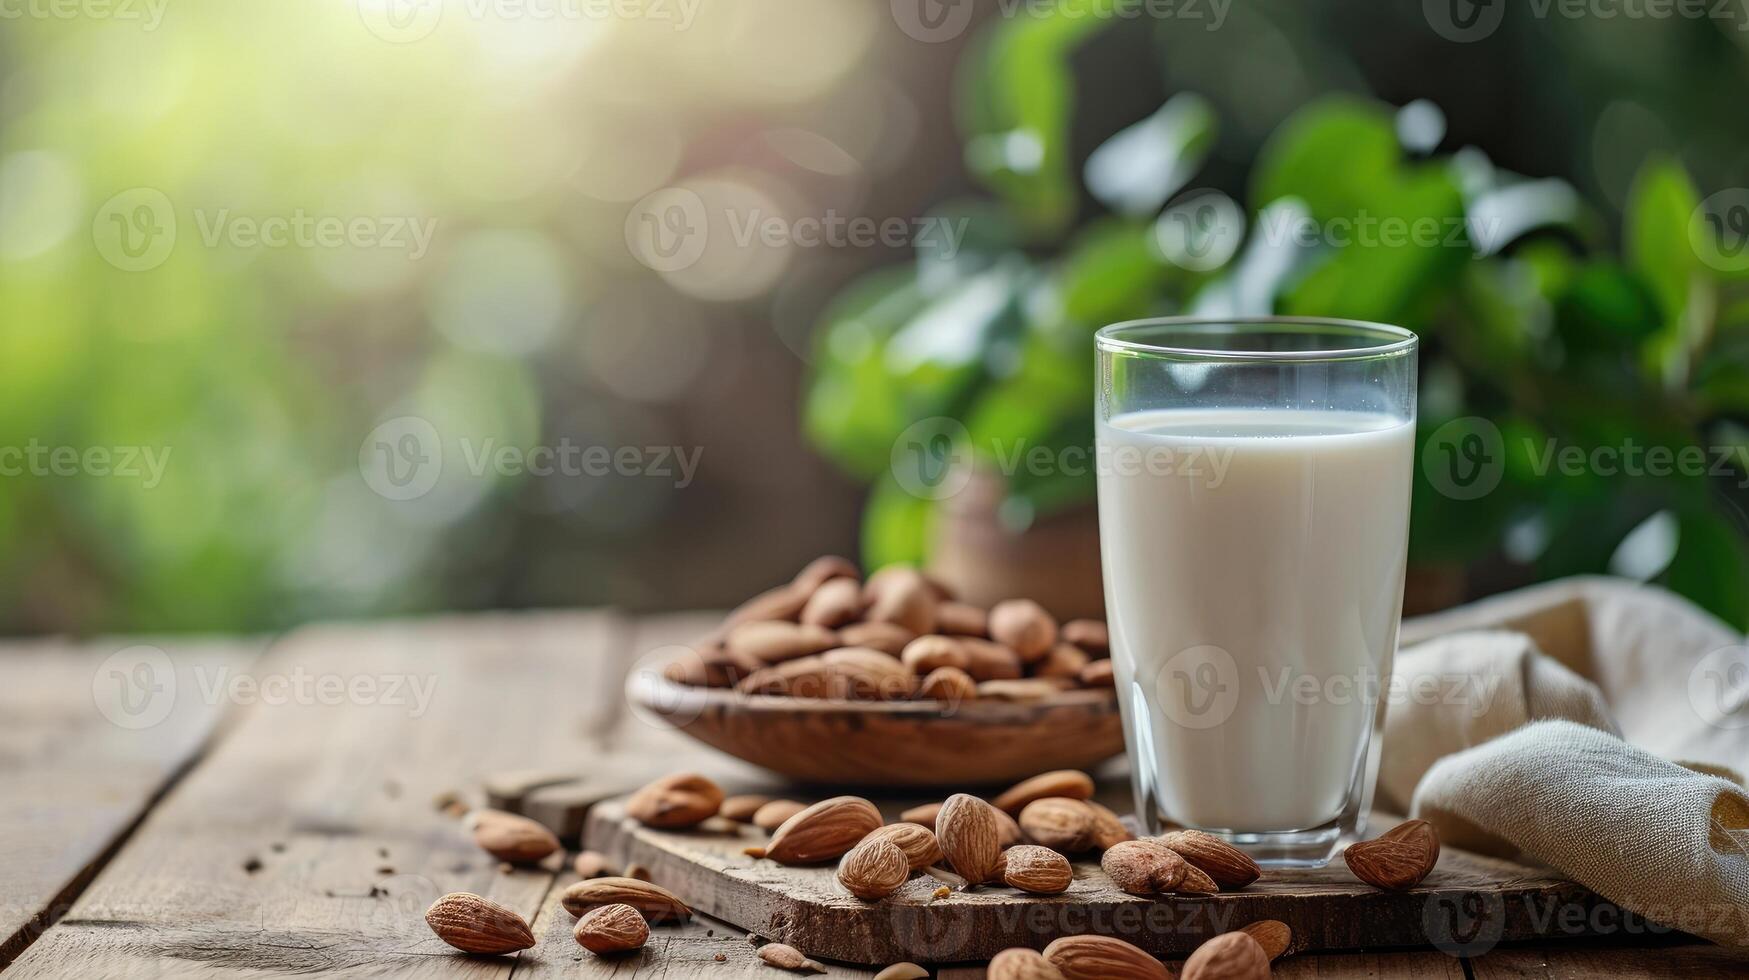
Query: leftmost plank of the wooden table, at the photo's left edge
{"points": [[90, 736]]}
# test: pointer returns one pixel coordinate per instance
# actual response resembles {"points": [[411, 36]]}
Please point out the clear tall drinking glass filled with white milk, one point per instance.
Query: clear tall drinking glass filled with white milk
{"points": [[1255, 507]]}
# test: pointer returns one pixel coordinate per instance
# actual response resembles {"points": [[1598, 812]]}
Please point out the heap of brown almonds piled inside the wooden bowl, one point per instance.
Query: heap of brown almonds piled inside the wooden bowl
{"points": [[898, 636]]}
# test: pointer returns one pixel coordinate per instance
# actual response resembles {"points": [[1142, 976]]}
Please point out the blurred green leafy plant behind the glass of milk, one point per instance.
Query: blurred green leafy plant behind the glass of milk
{"points": [[1530, 318]]}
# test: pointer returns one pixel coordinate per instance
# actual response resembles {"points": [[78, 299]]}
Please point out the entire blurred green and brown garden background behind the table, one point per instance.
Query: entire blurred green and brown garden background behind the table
{"points": [[377, 307]]}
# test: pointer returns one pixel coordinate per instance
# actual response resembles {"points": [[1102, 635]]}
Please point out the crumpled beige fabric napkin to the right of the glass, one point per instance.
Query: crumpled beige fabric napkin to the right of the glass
{"points": [[1556, 741]]}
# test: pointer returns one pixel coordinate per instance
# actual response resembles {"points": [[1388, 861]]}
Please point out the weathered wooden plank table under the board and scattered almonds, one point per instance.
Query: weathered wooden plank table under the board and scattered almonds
{"points": [[183, 808]]}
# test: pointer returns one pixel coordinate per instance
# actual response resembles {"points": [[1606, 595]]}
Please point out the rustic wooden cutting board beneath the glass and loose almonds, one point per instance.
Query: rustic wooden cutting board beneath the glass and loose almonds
{"points": [[1468, 904]]}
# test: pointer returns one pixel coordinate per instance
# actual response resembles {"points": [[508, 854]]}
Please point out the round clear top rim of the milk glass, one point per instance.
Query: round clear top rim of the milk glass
{"points": [[1390, 340]]}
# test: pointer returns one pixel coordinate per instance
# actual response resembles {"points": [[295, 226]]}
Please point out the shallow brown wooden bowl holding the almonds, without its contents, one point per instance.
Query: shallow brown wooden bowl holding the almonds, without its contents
{"points": [[891, 743]]}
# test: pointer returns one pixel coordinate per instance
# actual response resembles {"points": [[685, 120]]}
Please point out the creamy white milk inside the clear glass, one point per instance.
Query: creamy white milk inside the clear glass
{"points": [[1253, 585]]}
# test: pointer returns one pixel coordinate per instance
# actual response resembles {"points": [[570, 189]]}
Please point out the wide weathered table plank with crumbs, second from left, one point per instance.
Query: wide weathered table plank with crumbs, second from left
{"points": [[309, 839]]}
